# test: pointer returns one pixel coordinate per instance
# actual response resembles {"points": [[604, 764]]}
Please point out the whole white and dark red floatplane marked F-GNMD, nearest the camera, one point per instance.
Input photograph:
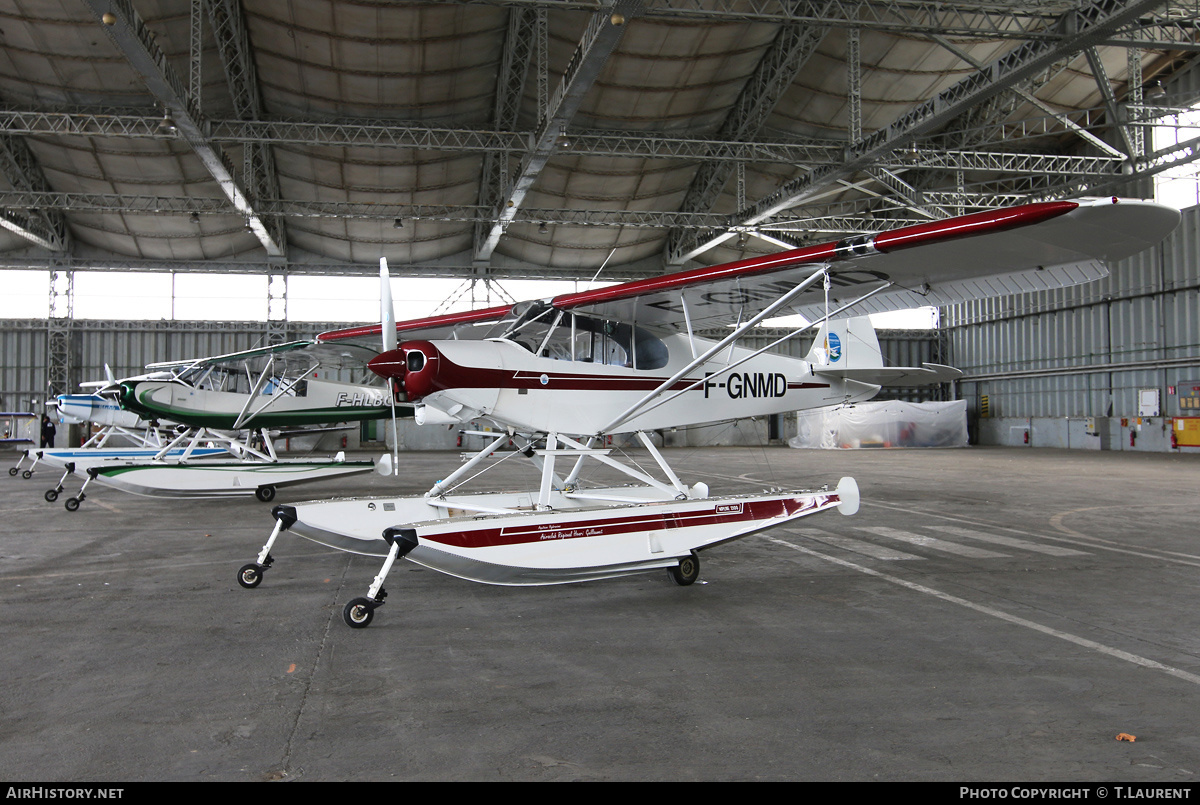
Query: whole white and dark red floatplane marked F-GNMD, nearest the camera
{"points": [[562, 375]]}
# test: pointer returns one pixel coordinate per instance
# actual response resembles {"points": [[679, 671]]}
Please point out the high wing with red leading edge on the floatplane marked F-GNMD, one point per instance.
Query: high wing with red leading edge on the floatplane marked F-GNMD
{"points": [[1016, 250]]}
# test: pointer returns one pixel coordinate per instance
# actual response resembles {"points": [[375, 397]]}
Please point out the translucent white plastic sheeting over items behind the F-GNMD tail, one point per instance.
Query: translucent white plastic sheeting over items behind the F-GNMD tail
{"points": [[890, 424]]}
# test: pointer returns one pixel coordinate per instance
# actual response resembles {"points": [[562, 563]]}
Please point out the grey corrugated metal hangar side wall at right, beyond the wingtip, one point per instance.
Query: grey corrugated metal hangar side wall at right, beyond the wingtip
{"points": [[1088, 351]]}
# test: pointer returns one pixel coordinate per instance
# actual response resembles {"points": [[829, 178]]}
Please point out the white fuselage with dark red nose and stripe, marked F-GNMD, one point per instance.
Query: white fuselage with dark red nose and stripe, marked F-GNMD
{"points": [[507, 382]]}
